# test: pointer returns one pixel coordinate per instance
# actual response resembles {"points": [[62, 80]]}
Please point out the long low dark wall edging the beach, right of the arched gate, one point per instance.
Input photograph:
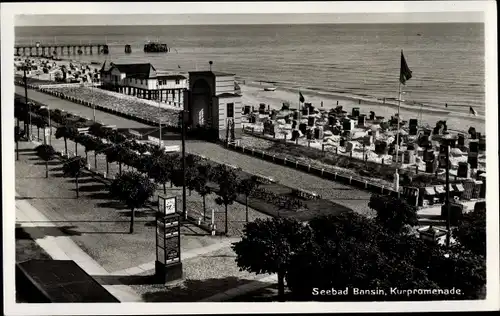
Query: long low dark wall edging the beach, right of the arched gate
{"points": [[334, 176]]}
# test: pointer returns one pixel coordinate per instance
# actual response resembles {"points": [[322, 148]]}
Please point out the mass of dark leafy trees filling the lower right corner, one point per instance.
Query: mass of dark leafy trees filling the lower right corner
{"points": [[351, 251]]}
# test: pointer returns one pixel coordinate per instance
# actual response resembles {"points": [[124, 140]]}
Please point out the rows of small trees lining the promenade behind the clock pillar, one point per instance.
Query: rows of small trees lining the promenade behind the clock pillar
{"points": [[147, 160]]}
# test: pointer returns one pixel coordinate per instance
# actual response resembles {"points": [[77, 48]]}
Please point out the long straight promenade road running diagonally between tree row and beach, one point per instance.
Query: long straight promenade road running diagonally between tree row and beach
{"points": [[345, 195]]}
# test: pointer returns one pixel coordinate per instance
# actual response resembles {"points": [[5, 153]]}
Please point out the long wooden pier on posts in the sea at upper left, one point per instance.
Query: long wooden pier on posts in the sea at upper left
{"points": [[60, 49]]}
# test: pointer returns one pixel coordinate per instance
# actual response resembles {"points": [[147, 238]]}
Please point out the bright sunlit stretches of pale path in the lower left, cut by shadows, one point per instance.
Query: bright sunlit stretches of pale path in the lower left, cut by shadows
{"points": [[63, 248]]}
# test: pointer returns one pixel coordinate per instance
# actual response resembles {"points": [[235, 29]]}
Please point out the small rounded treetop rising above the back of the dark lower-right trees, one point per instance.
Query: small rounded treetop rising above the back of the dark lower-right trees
{"points": [[393, 213]]}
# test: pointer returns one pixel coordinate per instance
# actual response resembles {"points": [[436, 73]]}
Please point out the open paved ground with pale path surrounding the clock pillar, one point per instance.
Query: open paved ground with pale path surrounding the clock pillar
{"points": [[95, 237]]}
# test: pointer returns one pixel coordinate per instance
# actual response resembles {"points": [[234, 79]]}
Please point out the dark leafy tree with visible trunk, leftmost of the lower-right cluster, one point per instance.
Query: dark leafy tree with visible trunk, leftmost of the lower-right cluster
{"points": [[268, 245]]}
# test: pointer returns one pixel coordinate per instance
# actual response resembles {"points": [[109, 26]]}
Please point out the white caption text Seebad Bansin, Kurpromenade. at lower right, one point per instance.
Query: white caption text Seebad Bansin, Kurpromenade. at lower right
{"points": [[390, 291]]}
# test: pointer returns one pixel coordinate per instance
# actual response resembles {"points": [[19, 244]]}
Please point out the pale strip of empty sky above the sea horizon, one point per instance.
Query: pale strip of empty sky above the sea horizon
{"points": [[257, 18]]}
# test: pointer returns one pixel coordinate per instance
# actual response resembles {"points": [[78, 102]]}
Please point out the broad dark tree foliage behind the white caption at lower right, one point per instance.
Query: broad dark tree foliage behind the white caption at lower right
{"points": [[352, 251]]}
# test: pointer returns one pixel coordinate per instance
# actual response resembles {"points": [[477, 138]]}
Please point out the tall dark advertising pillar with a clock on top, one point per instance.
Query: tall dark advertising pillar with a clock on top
{"points": [[168, 265]]}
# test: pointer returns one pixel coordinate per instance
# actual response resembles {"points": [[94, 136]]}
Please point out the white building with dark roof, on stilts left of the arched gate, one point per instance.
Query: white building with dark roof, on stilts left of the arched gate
{"points": [[144, 81]]}
